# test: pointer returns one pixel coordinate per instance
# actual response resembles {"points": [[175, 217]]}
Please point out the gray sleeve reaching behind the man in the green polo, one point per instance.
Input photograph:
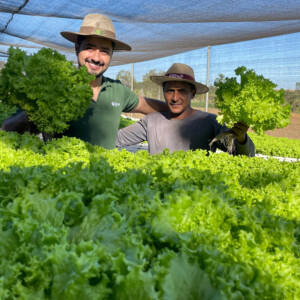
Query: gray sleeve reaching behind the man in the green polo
{"points": [[132, 135]]}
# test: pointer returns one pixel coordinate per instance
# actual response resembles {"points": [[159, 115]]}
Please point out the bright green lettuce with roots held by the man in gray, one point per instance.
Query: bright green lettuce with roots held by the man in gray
{"points": [[253, 100]]}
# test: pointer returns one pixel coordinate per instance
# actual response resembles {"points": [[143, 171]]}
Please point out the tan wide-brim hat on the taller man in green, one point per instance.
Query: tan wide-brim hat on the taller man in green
{"points": [[99, 26]]}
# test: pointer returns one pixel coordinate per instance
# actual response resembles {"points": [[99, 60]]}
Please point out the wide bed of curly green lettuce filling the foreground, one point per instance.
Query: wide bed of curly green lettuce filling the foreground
{"points": [[80, 222]]}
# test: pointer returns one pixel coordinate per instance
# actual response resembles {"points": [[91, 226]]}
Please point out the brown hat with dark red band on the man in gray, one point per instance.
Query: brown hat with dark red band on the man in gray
{"points": [[180, 72]]}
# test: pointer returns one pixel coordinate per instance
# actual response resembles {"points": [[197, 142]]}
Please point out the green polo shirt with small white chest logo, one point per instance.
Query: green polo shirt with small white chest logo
{"points": [[100, 123]]}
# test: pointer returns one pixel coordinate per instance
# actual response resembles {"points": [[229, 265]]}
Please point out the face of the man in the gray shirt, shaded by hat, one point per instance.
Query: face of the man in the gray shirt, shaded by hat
{"points": [[178, 96]]}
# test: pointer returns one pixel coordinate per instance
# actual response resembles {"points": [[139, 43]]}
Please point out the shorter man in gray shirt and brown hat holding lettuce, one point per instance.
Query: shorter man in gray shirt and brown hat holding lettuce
{"points": [[182, 127]]}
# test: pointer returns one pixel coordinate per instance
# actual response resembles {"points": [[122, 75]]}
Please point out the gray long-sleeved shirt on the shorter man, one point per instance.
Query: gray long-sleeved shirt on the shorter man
{"points": [[194, 132]]}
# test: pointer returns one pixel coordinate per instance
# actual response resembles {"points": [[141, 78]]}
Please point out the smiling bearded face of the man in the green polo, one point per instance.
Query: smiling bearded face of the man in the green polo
{"points": [[95, 53]]}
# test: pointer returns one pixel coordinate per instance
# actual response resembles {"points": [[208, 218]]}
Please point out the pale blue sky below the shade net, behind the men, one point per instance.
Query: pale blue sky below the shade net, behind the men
{"points": [[276, 58]]}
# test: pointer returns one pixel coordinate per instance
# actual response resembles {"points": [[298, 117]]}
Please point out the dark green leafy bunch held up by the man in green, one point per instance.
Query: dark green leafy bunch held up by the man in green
{"points": [[50, 89]]}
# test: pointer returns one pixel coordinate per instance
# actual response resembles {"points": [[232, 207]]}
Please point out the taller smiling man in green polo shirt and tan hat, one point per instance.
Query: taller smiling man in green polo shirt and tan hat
{"points": [[94, 45]]}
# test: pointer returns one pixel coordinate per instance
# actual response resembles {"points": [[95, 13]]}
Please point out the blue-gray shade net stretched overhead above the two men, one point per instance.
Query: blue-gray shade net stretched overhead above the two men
{"points": [[153, 29]]}
